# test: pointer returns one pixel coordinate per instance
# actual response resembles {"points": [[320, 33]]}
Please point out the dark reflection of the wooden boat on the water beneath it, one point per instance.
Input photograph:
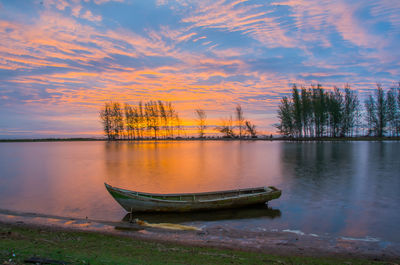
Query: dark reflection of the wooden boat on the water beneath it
{"points": [[250, 212]]}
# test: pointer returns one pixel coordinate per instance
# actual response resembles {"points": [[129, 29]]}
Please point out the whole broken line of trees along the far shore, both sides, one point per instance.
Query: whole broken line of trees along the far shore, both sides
{"points": [[309, 114]]}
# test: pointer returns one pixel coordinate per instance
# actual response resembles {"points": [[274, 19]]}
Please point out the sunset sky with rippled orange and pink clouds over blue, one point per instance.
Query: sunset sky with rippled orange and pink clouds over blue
{"points": [[60, 61]]}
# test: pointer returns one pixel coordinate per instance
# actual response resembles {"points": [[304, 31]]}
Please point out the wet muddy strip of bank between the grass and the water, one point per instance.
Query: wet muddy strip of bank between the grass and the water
{"points": [[285, 242]]}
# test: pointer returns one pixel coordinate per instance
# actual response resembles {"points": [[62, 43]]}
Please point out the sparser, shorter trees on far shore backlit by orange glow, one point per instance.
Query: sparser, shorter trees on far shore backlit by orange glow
{"points": [[159, 119]]}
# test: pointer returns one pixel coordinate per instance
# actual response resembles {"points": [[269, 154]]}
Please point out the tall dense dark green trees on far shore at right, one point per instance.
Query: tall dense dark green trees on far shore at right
{"points": [[315, 112]]}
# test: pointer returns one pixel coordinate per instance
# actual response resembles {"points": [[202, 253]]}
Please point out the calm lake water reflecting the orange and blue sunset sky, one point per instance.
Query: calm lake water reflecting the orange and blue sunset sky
{"points": [[341, 189]]}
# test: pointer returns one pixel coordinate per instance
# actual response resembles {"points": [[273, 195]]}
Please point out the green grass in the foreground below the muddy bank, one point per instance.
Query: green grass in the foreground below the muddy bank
{"points": [[18, 243]]}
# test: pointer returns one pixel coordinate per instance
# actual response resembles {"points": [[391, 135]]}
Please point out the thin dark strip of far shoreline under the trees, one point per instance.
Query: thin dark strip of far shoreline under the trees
{"points": [[312, 139]]}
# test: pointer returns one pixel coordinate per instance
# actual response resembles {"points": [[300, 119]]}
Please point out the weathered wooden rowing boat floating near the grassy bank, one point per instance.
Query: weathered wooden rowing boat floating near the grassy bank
{"points": [[134, 201]]}
